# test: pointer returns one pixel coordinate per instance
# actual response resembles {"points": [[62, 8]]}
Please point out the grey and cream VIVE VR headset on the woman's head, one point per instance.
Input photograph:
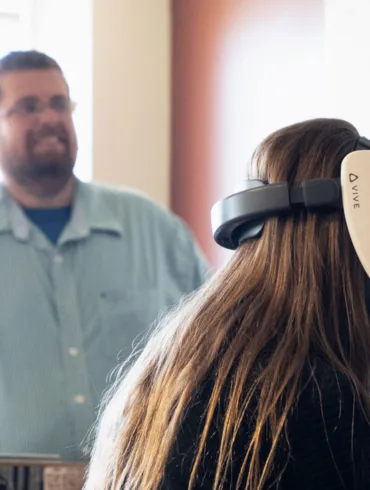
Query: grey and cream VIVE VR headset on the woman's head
{"points": [[242, 215]]}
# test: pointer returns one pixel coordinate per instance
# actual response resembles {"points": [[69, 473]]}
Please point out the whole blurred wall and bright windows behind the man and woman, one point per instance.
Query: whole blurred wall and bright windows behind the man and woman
{"points": [[173, 96]]}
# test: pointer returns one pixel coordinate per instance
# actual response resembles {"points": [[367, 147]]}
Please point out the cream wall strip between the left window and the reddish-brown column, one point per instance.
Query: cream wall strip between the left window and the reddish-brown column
{"points": [[132, 51]]}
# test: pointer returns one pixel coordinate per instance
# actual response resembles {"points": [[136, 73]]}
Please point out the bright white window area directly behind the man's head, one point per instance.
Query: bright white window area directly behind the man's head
{"points": [[62, 29]]}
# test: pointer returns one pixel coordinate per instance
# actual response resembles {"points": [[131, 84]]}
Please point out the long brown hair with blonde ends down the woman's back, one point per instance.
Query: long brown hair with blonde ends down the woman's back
{"points": [[300, 288]]}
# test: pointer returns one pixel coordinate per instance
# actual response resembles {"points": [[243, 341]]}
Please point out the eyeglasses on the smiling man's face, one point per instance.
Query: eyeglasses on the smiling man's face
{"points": [[30, 106]]}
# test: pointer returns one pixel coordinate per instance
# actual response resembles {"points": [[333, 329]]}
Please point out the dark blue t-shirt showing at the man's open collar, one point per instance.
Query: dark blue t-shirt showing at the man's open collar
{"points": [[50, 221]]}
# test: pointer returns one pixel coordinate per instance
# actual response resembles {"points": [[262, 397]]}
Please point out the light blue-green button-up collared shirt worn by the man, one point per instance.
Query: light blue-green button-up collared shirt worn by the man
{"points": [[68, 311]]}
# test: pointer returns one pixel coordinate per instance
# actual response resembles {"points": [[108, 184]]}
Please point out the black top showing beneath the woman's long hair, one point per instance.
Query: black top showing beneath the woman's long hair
{"points": [[330, 441]]}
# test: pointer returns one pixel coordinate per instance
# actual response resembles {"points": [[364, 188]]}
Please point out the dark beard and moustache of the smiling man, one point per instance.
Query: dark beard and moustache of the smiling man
{"points": [[44, 174]]}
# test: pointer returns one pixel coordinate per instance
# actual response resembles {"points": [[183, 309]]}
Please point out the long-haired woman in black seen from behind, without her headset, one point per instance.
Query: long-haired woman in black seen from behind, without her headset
{"points": [[261, 379]]}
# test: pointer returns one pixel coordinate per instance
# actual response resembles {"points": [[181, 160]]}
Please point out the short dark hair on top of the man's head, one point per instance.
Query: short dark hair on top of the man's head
{"points": [[27, 60]]}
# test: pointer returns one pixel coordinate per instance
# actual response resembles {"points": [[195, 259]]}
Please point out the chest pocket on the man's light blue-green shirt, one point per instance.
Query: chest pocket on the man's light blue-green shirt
{"points": [[125, 320]]}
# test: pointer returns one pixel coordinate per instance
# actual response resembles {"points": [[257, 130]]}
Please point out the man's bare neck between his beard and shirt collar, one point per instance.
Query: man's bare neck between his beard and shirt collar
{"points": [[29, 198]]}
